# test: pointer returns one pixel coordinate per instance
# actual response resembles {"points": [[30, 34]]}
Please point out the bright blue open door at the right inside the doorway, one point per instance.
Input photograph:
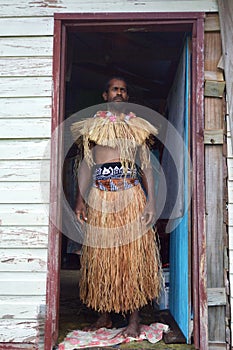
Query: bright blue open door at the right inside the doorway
{"points": [[179, 289]]}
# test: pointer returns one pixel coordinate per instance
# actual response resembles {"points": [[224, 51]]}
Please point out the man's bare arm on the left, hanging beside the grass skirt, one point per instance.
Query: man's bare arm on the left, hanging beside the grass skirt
{"points": [[84, 178]]}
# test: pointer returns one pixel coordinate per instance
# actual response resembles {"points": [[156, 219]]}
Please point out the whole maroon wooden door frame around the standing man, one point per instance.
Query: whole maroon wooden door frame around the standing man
{"points": [[194, 23]]}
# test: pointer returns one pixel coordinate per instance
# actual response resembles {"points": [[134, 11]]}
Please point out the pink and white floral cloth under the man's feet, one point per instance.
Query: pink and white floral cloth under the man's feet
{"points": [[109, 337]]}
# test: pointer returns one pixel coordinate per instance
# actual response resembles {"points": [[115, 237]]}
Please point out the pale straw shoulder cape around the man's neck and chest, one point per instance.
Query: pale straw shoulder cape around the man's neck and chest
{"points": [[126, 132]]}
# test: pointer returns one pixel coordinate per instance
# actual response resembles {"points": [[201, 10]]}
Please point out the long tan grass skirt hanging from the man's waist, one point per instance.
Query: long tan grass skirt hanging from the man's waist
{"points": [[120, 265]]}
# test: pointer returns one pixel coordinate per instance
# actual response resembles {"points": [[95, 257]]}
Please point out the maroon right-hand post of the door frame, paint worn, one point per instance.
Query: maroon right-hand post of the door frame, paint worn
{"points": [[198, 212]]}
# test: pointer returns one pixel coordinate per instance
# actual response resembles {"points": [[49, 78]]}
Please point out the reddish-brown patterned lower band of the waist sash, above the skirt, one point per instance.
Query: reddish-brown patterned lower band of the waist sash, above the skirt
{"points": [[115, 184]]}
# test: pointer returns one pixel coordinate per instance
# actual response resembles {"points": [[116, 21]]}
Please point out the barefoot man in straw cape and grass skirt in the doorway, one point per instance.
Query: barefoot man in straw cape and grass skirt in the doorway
{"points": [[120, 265]]}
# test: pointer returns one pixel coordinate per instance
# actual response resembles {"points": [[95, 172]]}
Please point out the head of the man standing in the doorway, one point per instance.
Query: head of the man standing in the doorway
{"points": [[117, 91]]}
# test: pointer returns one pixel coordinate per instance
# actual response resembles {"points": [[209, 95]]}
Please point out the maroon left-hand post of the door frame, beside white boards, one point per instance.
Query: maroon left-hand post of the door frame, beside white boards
{"points": [[54, 244]]}
